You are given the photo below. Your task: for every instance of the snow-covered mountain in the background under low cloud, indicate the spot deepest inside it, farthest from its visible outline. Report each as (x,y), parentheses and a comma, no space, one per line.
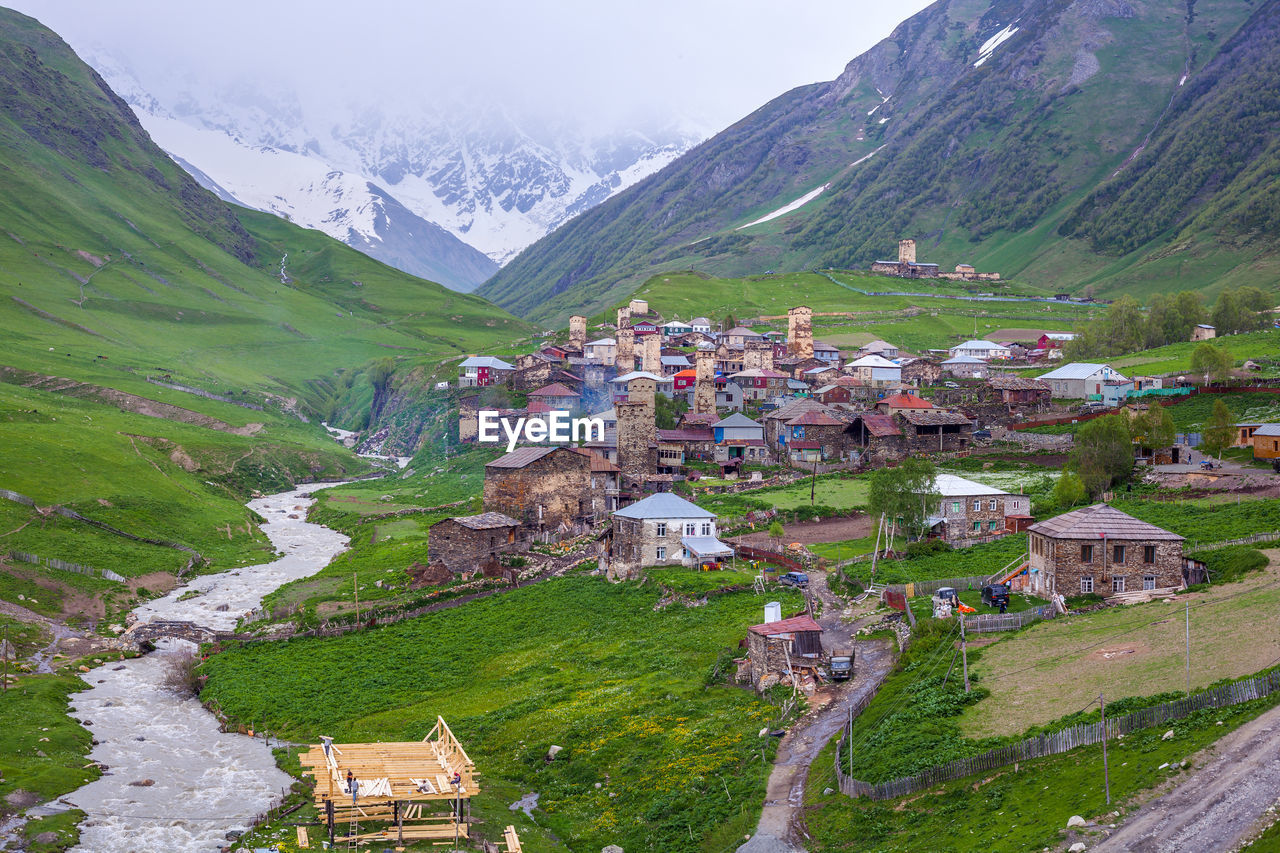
(436,195)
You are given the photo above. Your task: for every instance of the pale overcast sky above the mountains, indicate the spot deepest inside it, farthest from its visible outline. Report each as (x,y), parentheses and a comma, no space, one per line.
(708,61)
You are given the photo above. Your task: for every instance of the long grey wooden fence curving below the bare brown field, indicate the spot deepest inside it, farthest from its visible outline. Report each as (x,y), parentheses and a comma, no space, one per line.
(1055,742)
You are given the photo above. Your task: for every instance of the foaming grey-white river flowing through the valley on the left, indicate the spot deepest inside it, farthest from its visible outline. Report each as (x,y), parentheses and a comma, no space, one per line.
(204,783)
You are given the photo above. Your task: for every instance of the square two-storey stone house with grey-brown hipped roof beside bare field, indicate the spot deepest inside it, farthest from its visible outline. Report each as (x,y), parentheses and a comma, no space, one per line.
(1100,550)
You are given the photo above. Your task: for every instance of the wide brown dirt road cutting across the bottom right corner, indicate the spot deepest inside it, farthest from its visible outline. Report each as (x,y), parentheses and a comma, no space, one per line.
(1219,805)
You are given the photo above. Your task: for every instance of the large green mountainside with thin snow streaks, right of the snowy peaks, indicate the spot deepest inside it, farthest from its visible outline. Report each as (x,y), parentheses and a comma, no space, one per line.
(982,163)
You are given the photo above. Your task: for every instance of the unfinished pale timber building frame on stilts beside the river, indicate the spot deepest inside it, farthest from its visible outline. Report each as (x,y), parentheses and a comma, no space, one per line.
(401,786)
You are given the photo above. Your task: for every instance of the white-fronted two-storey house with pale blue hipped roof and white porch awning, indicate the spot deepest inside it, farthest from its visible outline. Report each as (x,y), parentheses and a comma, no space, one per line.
(664,530)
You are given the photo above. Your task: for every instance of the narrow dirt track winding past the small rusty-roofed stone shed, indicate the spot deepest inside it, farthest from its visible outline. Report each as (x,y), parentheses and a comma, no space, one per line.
(784,802)
